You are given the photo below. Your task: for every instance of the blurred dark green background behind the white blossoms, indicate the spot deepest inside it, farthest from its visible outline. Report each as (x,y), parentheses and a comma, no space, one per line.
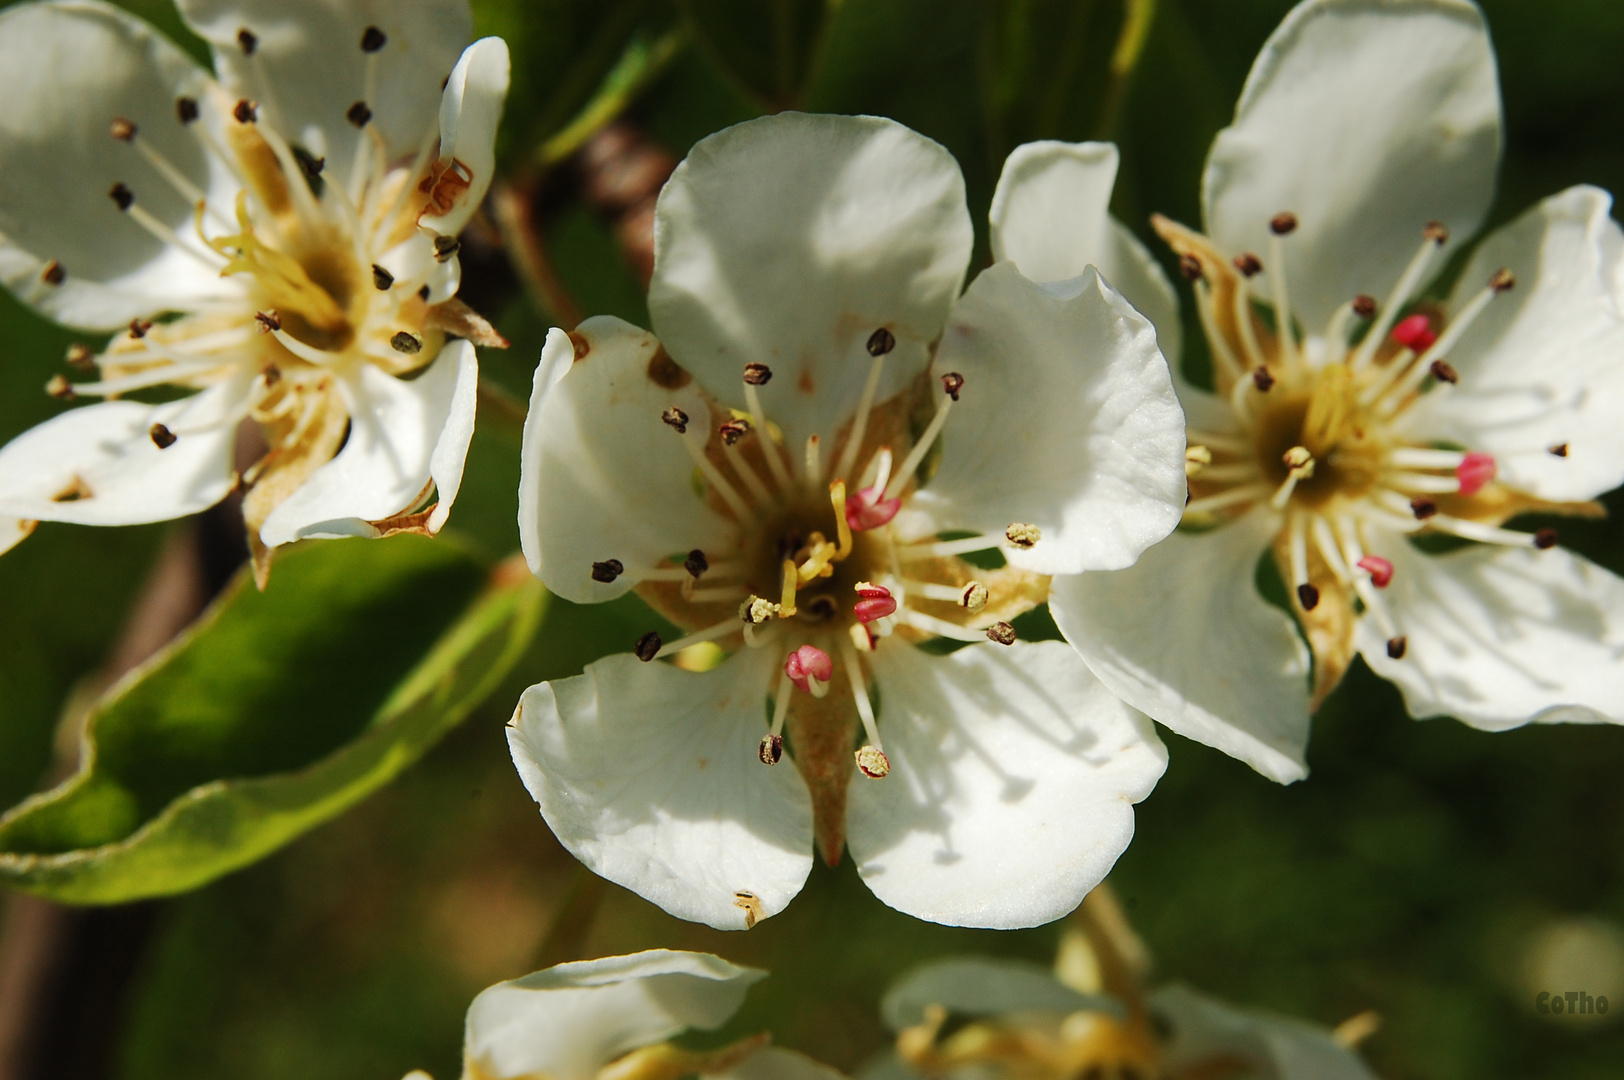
(1419,873)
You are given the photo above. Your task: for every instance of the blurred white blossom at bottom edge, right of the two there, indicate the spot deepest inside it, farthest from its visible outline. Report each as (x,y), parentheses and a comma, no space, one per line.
(1095,1016)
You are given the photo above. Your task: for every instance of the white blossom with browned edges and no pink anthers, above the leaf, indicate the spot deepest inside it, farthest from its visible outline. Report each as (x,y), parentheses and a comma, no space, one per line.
(277,238)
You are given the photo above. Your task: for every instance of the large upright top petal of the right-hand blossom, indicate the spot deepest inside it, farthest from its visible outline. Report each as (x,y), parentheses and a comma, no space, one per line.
(1367,119)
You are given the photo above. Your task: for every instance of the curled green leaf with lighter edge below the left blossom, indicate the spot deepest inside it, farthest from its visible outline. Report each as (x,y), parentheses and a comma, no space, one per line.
(274,714)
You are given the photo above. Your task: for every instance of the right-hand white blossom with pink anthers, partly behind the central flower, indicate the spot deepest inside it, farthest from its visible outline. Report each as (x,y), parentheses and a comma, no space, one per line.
(1386,417)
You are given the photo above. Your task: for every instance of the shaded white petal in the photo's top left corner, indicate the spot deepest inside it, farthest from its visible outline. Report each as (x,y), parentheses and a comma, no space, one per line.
(66,74)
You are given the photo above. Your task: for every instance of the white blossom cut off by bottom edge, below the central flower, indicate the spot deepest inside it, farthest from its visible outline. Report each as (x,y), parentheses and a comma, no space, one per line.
(613,1021)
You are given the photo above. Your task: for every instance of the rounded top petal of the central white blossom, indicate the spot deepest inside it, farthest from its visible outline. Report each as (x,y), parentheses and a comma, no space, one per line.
(788,241)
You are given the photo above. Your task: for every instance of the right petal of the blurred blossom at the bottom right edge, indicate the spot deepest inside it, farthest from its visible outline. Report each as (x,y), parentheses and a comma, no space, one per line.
(1206,1029)
